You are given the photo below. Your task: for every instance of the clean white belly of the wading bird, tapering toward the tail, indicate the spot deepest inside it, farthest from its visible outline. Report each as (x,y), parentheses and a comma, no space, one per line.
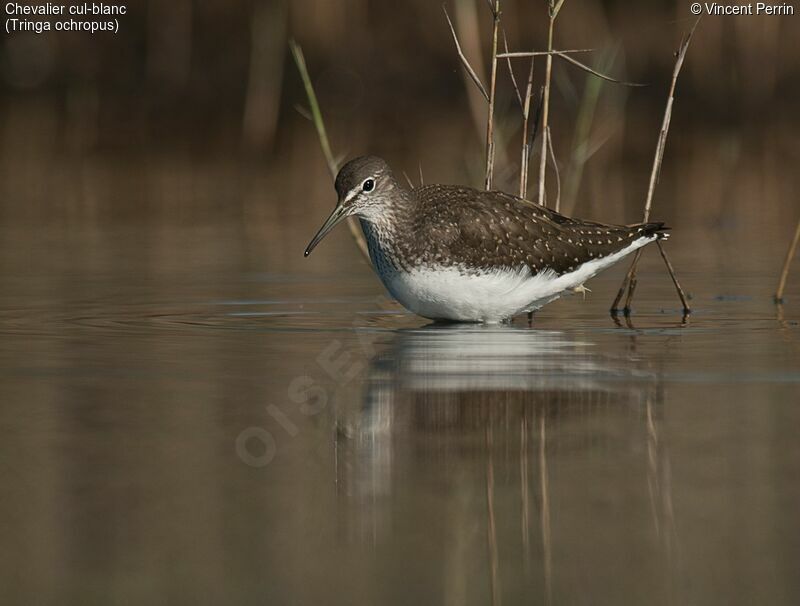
(450,293)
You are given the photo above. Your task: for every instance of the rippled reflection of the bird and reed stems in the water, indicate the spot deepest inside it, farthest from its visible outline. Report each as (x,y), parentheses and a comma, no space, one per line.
(485,412)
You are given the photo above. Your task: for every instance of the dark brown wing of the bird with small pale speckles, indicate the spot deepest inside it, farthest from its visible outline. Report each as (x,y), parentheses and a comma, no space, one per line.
(494,229)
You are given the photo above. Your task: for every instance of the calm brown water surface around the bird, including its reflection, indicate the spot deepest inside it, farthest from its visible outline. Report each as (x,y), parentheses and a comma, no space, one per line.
(204,433)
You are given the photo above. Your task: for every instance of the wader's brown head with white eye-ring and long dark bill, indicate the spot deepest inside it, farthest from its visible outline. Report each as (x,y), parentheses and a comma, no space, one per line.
(364,186)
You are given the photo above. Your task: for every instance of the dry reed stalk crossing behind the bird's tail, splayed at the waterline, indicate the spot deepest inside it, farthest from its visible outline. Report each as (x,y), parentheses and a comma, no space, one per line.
(630,280)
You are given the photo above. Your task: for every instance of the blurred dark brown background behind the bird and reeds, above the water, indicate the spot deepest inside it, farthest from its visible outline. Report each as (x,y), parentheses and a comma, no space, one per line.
(187,117)
